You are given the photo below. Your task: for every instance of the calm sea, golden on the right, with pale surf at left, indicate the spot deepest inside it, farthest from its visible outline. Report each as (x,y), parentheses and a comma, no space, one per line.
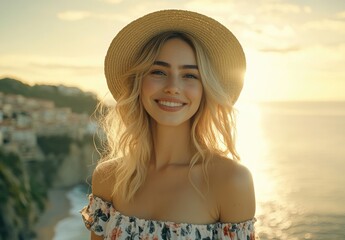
(296,153)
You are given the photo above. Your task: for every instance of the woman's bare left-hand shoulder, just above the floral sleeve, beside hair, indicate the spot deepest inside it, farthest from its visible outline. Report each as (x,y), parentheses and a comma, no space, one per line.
(103,180)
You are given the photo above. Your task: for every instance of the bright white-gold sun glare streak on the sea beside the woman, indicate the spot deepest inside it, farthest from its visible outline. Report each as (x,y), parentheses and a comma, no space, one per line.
(253,150)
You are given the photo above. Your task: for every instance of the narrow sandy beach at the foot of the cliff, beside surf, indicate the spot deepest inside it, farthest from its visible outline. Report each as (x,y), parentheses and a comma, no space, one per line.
(57,208)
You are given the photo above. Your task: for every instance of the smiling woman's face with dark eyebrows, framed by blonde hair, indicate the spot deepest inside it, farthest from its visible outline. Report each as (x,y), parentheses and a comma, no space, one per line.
(172,90)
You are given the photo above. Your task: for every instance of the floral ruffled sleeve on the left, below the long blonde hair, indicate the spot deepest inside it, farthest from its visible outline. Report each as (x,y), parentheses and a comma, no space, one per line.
(96,215)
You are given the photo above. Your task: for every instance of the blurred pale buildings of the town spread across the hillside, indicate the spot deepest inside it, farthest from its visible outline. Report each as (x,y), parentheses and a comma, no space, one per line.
(23,119)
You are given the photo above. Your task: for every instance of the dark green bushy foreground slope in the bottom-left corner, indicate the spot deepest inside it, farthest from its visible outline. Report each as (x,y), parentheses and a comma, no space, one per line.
(18,199)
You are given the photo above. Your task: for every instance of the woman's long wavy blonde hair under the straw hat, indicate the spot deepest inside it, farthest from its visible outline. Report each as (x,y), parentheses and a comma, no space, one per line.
(212,131)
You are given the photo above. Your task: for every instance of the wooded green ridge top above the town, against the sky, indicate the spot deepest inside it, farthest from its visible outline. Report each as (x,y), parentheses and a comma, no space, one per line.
(79,102)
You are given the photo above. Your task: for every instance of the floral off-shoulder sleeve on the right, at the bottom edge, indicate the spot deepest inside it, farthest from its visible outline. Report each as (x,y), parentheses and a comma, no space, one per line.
(238,231)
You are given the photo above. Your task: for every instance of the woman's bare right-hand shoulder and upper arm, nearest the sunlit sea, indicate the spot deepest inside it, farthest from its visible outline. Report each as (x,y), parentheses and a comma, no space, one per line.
(234,190)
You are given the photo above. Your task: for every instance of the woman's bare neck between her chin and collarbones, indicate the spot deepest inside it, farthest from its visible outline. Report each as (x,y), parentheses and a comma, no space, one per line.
(172,145)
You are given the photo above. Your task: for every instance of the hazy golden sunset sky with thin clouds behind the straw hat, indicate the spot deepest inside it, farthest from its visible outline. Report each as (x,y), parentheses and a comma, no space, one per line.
(295,49)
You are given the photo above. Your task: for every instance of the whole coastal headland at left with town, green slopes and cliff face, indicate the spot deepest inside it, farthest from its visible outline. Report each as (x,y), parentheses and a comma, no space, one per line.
(46,141)
